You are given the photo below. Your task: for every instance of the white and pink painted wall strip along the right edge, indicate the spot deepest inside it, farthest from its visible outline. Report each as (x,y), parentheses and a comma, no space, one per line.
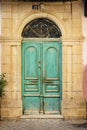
(84,29)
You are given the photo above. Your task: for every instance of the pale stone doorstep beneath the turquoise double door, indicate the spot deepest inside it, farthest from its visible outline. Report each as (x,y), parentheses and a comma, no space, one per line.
(60,117)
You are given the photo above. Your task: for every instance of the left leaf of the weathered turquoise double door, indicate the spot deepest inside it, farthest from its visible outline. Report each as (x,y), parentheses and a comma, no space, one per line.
(31,76)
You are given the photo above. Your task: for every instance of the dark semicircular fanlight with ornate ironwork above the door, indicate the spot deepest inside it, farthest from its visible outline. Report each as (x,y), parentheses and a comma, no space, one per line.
(41,28)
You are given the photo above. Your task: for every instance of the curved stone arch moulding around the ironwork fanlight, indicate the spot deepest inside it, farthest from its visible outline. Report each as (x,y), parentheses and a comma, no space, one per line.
(28,18)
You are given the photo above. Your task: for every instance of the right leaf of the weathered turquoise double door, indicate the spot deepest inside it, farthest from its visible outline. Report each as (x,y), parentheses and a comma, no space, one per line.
(51,75)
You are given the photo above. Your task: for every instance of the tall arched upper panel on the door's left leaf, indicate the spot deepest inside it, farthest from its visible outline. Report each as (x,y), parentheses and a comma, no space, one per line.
(31,62)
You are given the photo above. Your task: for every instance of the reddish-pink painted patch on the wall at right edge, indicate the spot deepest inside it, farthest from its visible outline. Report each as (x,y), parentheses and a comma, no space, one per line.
(85,82)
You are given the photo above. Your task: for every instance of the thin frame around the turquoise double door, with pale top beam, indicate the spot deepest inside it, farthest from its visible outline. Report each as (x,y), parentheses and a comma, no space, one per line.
(42,40)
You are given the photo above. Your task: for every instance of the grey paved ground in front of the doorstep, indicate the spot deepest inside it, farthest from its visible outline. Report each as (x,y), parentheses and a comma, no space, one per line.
(43,124)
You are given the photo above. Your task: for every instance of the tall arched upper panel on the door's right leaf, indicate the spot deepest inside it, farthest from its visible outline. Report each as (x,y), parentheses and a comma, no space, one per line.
(51,62)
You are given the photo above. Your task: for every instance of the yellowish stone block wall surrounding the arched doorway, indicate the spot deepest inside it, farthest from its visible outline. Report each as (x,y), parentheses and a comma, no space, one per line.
(15,15)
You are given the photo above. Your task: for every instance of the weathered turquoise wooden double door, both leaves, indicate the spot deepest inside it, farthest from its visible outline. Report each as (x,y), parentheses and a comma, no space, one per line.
(41,77)
